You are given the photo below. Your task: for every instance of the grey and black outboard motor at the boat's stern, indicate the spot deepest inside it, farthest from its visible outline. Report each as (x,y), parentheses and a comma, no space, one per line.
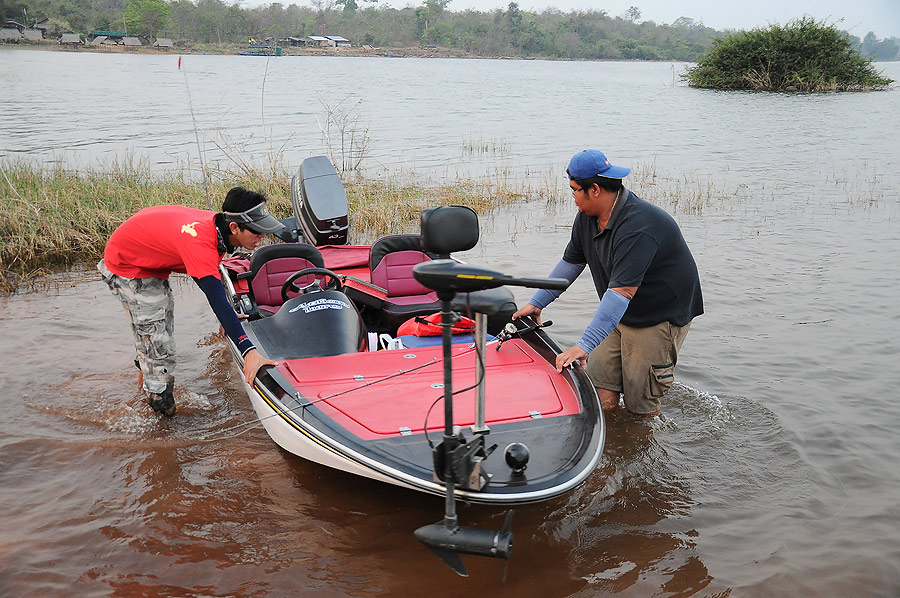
(320,203)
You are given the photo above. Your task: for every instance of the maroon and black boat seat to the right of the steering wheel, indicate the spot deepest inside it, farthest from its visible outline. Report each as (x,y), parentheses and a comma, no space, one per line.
(391,260)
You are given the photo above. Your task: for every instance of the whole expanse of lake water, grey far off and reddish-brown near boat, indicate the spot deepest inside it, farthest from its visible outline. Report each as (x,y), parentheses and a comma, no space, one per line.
(773,470)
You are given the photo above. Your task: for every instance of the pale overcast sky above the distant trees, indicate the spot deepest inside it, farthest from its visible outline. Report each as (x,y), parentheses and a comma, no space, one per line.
(859,16)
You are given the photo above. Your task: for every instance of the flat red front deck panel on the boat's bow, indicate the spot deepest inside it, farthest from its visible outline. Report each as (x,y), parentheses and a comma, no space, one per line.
(375,395)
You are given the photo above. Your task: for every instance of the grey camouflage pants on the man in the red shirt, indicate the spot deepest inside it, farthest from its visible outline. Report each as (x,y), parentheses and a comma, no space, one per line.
(149,304)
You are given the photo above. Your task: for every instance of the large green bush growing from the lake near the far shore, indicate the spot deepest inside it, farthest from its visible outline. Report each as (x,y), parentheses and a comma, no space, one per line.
(804,55)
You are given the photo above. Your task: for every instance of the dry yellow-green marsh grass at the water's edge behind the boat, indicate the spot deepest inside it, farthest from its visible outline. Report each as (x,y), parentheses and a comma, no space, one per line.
(52,218)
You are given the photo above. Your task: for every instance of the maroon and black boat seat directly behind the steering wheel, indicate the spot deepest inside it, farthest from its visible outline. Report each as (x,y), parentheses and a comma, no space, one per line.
(270,266)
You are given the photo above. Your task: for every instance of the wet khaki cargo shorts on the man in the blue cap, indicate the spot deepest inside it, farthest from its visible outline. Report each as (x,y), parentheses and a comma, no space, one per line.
(638,362)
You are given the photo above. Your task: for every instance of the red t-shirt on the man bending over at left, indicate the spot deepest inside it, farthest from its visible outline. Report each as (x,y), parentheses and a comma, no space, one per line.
(164,239)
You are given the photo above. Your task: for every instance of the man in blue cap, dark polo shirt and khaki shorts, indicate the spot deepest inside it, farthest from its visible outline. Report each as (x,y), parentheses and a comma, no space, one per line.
(645,276)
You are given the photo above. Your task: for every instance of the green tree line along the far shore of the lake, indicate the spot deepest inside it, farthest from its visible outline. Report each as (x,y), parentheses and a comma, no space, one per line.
(551,33)
